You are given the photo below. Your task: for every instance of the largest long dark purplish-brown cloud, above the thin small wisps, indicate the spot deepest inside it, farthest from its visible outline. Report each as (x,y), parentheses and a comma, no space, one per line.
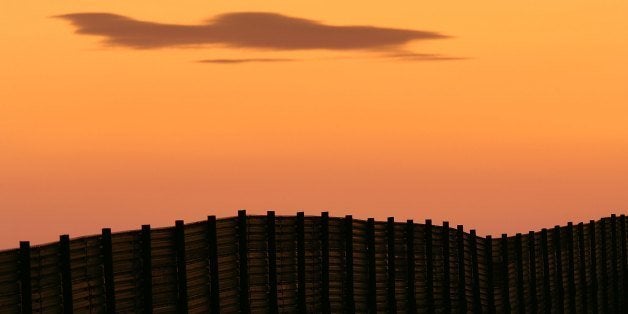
(244,30)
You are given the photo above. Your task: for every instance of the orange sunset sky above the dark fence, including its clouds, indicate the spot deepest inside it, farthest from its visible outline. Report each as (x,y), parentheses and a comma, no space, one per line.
(500,116)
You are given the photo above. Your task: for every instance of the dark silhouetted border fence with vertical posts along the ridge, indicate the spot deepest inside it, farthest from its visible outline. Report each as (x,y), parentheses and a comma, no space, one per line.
(321,264)
